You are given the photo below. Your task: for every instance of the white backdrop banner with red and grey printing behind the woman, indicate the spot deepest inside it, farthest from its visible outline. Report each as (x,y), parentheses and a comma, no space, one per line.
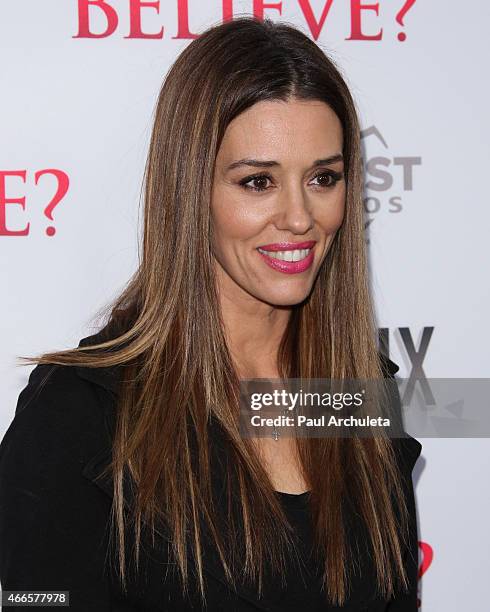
(79,81)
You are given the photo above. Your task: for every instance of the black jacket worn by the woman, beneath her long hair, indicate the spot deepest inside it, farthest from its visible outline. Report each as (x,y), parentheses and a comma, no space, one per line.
(54,513)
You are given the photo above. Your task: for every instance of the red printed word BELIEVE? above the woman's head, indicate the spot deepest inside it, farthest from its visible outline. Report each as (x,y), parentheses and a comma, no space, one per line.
(146,19)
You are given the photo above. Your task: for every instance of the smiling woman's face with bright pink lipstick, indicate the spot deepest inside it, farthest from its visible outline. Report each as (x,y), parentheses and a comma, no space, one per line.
(278,199)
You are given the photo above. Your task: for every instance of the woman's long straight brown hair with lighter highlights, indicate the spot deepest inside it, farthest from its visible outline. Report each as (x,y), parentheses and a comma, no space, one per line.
(166,330)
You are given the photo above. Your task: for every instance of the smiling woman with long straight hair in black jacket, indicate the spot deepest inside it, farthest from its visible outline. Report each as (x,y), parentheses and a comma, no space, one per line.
(123,477)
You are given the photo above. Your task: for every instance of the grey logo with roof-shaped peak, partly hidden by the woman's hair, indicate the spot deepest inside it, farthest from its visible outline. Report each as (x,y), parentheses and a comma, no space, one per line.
(389,176)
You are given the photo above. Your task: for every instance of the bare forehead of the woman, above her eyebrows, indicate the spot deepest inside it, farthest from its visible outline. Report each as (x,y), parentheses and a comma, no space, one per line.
(273,129)
